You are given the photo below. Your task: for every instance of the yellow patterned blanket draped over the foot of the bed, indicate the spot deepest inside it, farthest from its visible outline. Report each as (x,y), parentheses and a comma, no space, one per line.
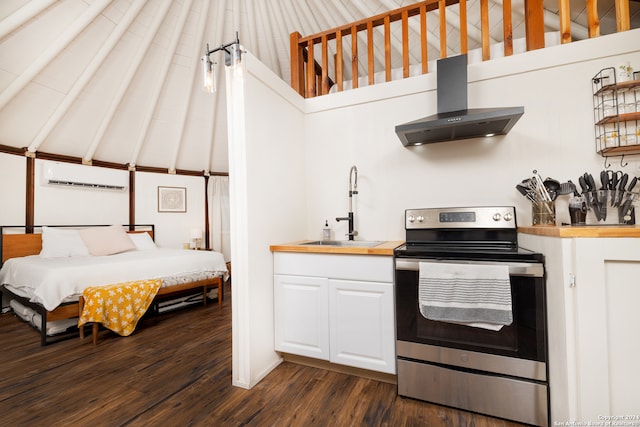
(119,306)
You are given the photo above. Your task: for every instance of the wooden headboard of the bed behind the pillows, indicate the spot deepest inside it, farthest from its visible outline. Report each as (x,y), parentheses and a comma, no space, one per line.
(16,242)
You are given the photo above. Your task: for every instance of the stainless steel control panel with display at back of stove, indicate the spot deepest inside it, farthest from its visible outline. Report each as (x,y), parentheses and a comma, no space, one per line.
(469,217)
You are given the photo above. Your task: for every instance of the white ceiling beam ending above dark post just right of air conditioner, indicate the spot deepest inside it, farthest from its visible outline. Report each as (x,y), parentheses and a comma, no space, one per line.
(160,80)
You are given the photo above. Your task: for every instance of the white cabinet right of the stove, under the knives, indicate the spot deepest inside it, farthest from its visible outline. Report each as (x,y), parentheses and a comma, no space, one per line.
(593,293)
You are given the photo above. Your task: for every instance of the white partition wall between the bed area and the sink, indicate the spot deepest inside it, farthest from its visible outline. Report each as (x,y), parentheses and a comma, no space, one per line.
(267,198)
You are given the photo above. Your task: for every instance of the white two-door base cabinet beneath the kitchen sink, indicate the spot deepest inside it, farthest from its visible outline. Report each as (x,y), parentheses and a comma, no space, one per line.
(336,307)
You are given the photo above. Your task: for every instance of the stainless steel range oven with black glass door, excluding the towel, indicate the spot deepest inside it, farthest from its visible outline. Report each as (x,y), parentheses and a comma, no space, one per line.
(502,373)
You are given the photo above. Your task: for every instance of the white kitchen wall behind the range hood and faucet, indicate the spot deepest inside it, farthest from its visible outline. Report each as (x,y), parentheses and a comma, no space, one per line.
(554,136)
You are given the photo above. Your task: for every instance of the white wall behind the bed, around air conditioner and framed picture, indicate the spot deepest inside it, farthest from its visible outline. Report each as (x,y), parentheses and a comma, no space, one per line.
(78,206)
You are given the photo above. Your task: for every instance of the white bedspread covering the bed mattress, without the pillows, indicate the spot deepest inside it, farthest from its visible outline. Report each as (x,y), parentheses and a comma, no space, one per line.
(51,281)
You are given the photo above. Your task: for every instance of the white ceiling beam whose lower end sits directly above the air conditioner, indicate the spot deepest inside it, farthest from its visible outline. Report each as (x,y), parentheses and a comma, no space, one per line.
(126,80)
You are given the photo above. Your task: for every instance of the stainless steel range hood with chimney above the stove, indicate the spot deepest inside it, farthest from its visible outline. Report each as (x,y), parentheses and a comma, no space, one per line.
(454,120)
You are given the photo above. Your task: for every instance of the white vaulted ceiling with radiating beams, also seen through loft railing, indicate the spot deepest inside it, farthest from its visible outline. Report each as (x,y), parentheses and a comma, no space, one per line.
(120,80)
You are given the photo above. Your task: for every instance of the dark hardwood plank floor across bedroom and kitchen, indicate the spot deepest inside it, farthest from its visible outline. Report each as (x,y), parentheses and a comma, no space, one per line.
(175,370)
